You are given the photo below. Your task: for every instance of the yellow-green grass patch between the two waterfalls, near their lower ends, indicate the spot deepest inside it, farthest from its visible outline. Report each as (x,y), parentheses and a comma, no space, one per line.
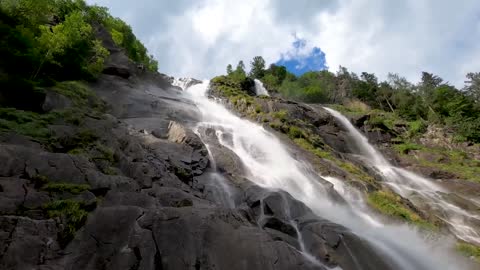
(391,205)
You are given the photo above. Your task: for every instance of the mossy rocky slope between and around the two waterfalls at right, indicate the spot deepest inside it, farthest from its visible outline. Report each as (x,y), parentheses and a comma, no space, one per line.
(319,138)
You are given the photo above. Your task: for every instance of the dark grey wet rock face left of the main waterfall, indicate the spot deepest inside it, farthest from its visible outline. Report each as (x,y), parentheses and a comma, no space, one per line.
(150,206)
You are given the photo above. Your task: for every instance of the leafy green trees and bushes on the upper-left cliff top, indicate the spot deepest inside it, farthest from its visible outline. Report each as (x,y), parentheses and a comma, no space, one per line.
(47,41)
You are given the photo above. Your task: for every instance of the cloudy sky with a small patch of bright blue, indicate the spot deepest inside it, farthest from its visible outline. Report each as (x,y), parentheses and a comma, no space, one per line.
(199,38)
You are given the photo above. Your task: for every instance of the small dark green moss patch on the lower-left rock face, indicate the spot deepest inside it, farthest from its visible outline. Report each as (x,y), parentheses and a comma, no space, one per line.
(73,215)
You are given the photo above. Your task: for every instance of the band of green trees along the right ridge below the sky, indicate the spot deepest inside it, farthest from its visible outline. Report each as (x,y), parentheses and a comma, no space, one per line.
(393,104)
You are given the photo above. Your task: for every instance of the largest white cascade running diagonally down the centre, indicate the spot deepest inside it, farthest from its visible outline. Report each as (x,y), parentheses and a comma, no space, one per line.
(270,165)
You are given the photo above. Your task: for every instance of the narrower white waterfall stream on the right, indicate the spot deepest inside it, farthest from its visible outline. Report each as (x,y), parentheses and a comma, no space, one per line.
(412,186)
